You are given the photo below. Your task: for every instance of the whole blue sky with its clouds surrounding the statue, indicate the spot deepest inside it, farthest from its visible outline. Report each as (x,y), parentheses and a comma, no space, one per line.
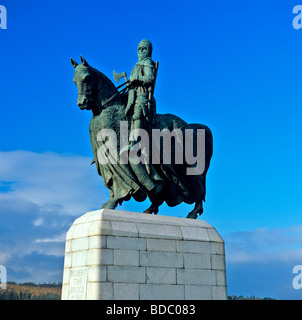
(232,65)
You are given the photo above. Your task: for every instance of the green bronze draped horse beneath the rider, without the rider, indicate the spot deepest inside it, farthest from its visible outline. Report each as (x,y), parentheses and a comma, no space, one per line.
(126,180)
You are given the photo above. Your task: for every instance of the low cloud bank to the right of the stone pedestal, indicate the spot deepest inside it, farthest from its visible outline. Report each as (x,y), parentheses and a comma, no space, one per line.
(260,262)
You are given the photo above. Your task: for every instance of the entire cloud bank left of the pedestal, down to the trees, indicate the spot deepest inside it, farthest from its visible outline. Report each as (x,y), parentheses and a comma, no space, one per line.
(40,197)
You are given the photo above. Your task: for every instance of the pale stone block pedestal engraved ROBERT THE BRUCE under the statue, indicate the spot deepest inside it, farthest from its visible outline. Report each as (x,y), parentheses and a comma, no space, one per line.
(120,255)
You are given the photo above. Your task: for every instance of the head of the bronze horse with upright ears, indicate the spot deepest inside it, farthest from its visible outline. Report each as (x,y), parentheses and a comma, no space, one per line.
(93,86)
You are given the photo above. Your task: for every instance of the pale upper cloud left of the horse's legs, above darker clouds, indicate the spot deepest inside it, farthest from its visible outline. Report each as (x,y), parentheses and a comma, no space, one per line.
(50,178)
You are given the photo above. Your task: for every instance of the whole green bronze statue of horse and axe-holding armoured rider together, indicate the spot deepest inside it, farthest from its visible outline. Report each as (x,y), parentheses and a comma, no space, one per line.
(135,105)
